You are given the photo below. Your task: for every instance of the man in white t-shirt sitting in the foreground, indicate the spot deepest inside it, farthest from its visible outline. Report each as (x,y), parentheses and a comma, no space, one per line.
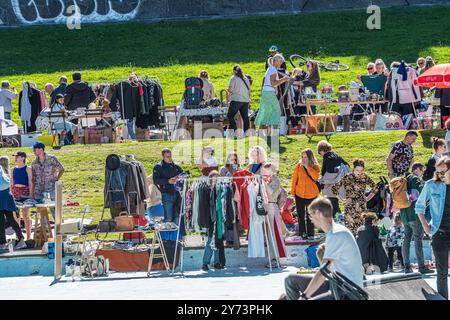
(341,251)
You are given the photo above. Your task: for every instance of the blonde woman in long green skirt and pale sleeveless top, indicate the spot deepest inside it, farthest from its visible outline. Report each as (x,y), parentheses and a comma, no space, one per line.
(269,108)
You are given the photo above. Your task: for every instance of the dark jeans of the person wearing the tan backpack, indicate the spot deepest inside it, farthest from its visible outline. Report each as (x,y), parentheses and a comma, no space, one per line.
(413,228)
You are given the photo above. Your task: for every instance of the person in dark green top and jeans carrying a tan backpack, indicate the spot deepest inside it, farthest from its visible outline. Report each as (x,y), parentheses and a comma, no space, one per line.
(411,223)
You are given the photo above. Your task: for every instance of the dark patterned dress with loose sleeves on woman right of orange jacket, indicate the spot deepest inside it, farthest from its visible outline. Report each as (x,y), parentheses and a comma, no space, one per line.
(355,202)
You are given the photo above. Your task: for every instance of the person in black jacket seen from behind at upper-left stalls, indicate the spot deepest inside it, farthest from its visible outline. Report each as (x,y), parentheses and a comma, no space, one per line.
(78,94)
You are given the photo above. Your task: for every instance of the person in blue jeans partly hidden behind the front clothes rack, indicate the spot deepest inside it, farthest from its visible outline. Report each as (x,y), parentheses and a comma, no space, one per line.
(214,245)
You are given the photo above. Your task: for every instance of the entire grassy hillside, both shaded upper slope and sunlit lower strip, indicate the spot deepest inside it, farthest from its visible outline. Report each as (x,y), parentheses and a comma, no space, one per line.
(173,51)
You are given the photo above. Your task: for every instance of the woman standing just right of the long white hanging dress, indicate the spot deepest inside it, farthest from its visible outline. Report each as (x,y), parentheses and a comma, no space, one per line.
(272,187)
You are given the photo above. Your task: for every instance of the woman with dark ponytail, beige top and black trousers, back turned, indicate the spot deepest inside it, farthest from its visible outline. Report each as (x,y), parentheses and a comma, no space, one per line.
(238,96)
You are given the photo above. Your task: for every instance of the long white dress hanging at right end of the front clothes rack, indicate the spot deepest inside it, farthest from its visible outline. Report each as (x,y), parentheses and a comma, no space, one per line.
(256,232)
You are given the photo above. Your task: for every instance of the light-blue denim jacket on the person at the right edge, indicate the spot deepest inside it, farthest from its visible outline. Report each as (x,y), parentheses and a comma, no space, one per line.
(434,193)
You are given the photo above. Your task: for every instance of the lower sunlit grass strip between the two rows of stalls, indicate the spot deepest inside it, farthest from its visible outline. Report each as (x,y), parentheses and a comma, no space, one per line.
(84,176)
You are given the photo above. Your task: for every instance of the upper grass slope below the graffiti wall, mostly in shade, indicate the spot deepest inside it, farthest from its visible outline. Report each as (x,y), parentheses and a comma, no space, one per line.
(173,51)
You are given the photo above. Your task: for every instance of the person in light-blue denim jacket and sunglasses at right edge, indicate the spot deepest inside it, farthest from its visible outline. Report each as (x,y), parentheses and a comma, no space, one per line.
(436,195)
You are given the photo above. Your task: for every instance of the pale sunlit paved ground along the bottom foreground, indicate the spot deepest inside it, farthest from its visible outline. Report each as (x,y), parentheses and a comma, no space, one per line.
(258,284)
